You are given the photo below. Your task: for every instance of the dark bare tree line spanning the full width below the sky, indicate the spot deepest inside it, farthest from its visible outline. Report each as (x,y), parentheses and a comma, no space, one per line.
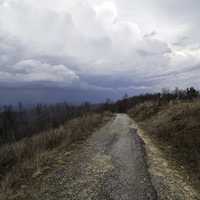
(19,122)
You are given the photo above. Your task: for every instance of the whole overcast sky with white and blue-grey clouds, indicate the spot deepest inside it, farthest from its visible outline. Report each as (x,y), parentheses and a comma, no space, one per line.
(98,47)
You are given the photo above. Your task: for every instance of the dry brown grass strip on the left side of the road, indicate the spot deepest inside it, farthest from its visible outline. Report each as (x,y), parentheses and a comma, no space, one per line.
(22,161)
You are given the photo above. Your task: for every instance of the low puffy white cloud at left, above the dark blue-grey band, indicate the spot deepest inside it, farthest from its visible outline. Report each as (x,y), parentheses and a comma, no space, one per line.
(33,70)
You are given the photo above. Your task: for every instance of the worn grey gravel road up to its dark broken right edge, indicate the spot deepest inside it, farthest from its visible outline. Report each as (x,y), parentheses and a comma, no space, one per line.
(109,165)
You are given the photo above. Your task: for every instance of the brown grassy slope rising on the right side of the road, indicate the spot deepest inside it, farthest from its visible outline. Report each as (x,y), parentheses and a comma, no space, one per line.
(175,125)
